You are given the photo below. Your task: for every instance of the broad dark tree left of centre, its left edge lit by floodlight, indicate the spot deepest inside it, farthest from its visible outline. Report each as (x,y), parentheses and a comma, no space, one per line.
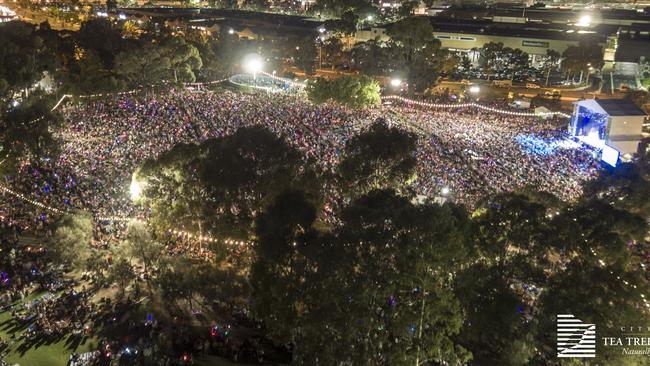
(221,185)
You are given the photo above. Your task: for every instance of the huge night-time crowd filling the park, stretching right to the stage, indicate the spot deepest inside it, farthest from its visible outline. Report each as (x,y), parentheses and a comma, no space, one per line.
(470,153)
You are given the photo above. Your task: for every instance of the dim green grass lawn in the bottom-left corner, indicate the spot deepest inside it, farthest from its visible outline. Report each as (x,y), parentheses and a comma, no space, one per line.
(53,354)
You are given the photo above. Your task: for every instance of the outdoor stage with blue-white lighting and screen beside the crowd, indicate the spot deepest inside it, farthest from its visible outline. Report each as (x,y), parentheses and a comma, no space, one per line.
(611,126)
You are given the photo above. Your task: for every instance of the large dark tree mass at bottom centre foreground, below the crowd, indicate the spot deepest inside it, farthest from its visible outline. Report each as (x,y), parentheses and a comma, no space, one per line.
(384,272)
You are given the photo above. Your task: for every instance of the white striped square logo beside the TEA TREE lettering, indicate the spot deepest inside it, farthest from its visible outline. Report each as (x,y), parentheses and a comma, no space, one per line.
(574,337)
